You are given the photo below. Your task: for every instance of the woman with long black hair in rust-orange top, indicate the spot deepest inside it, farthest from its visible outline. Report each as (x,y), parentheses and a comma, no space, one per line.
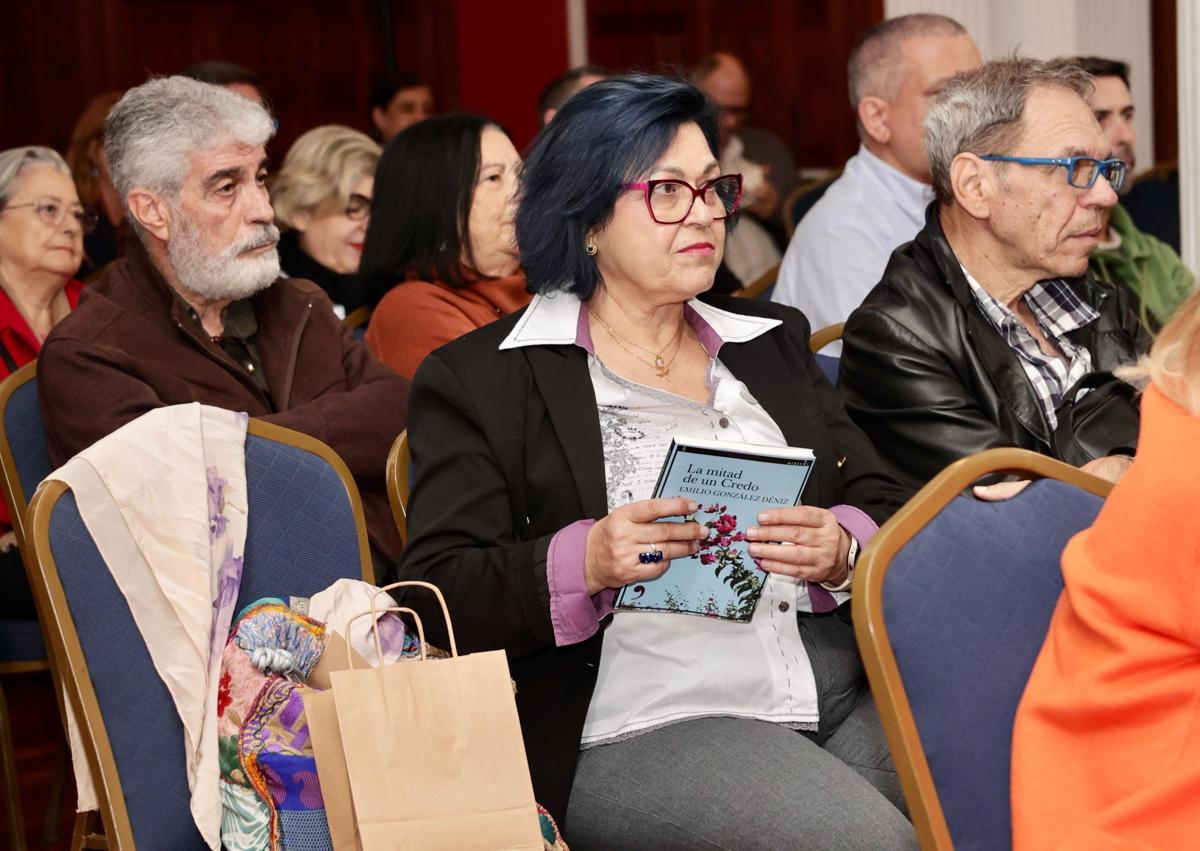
(441,257)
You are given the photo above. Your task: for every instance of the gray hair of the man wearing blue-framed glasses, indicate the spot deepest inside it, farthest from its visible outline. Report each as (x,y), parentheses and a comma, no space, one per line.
(981,112)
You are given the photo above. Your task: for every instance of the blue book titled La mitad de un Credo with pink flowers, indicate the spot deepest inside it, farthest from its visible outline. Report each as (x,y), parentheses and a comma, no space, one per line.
(733,483)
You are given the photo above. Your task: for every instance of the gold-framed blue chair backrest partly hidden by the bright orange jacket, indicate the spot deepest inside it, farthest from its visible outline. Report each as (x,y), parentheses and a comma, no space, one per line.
(952,601)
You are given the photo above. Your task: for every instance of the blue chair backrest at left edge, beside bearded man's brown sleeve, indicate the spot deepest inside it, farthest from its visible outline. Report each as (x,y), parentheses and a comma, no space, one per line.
(25,458)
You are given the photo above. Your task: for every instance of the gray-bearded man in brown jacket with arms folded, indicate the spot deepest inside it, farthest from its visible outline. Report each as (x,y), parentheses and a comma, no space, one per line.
(197,310)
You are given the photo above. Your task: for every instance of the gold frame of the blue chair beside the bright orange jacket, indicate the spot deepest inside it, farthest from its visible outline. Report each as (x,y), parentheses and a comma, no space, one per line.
(883,673)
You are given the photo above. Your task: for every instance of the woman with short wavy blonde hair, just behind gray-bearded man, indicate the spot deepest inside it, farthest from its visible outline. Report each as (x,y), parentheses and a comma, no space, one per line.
(322,200)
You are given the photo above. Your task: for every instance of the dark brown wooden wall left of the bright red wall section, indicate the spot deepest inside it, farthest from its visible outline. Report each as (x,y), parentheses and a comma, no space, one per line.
(316,57)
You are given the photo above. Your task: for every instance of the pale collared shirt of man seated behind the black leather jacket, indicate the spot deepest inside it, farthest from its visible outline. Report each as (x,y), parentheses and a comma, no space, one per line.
(842,248)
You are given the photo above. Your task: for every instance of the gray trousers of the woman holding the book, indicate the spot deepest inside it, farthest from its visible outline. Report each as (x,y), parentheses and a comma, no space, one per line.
(736,784)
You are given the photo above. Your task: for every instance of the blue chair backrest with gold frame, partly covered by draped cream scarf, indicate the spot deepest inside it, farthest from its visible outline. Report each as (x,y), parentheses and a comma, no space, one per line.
(305,531)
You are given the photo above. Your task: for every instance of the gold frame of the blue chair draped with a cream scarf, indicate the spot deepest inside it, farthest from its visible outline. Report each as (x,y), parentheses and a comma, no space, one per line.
(56,615)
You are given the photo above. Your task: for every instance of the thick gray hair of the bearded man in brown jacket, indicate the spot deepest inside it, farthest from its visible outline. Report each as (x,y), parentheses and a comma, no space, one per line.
(155,127)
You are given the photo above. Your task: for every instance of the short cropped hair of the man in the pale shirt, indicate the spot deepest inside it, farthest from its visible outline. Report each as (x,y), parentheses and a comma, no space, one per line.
(877,62)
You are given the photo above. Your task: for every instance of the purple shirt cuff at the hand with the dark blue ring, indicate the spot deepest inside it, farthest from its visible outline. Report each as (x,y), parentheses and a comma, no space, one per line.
(574,614)
